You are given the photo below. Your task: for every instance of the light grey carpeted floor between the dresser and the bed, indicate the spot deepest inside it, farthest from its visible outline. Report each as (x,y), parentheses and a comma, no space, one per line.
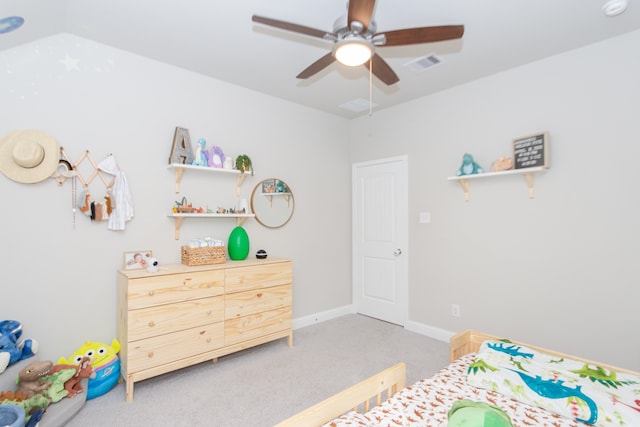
(266,384)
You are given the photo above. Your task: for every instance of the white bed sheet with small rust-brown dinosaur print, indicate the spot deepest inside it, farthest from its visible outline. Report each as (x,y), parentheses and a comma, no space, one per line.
(427,402)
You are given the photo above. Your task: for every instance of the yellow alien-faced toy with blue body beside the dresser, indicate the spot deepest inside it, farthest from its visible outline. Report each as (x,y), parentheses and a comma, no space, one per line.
(105,363)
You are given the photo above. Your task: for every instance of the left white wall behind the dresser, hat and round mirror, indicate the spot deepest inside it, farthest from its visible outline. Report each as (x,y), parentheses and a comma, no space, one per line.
(60,281)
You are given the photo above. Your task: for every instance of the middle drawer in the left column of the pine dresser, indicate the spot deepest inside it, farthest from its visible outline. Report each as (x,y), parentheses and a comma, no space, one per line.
(163,319)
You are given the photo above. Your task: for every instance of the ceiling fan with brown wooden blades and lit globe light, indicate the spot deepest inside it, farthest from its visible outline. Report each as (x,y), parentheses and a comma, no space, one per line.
(355,39)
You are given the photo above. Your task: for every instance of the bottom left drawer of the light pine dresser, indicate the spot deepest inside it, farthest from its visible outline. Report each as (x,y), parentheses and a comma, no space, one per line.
(152,352)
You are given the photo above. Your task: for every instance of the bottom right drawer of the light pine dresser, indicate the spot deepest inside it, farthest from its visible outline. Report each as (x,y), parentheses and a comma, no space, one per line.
(256,325)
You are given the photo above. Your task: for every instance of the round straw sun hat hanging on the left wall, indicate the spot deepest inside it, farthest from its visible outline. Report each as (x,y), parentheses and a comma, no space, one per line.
(29,156)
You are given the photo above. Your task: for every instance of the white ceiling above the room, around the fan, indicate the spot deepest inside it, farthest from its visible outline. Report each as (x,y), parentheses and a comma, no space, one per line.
(219,39)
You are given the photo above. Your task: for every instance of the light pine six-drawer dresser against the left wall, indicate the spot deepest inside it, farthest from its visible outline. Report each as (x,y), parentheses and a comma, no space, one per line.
(184,315)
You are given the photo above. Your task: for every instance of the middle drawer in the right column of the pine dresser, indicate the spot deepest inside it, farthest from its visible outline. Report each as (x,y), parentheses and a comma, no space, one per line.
(251,302)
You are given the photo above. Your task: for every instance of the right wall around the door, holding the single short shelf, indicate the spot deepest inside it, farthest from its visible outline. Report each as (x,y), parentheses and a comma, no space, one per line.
(559,270)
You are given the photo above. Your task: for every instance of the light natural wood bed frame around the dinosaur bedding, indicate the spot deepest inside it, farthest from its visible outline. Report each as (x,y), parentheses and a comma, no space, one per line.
(385,384)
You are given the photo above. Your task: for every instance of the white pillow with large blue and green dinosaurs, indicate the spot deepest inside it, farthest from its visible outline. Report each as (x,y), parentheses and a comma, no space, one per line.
(570,388)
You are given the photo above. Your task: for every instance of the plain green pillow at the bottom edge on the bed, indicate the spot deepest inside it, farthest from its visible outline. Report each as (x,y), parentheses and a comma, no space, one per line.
(467,413)
